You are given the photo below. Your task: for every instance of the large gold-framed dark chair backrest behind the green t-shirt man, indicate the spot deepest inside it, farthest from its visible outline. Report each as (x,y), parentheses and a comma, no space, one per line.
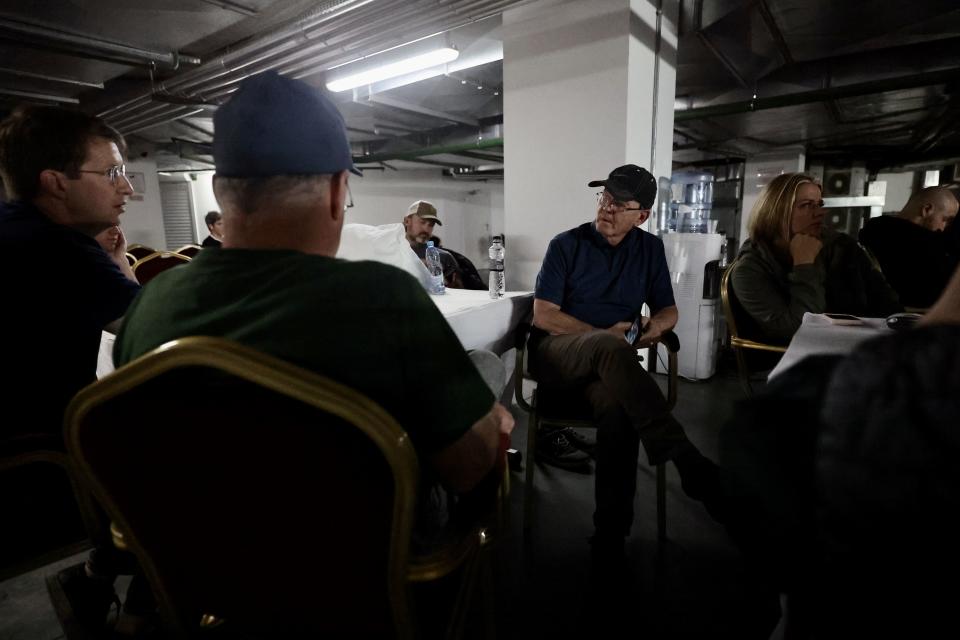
(255,495)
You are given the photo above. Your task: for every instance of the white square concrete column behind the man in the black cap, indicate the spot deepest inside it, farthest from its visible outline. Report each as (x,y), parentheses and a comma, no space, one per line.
(588,86)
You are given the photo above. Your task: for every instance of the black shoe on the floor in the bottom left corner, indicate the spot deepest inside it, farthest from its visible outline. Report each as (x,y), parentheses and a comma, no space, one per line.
(83,604)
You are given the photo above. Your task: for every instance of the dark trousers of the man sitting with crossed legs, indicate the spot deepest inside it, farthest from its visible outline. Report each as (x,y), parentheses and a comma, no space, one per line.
(628,409)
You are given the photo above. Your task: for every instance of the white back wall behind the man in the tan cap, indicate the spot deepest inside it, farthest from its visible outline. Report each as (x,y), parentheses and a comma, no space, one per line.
(471,211)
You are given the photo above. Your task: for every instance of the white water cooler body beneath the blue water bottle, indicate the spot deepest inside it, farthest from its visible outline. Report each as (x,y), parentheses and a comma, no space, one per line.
(692,261)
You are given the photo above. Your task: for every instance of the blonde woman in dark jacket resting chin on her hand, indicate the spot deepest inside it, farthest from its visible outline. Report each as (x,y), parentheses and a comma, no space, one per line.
(791,265)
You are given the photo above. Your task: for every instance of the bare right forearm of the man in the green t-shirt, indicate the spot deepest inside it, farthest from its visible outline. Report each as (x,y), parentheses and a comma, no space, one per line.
(463,464)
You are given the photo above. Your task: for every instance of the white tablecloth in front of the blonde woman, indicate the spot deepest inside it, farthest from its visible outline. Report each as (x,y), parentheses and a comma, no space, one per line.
(818,336)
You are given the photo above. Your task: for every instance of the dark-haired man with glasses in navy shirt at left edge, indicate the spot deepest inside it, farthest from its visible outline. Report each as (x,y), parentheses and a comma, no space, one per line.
(64,174)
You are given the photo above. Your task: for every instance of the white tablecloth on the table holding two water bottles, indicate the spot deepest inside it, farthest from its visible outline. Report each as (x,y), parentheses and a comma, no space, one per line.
(479,321)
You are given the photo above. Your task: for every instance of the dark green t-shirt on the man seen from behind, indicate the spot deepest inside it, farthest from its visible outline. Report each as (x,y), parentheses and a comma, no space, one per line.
(367,325)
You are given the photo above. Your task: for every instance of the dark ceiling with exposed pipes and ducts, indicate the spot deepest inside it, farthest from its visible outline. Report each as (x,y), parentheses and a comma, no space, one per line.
(869,80)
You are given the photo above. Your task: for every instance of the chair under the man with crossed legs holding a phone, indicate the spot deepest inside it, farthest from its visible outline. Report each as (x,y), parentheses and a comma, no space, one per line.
(550,408)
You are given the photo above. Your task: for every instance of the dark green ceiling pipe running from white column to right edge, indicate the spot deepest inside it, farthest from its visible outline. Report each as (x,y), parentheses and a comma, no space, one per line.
(819,95)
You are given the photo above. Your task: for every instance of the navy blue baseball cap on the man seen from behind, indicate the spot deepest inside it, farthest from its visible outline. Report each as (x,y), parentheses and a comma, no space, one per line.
(274,126)
